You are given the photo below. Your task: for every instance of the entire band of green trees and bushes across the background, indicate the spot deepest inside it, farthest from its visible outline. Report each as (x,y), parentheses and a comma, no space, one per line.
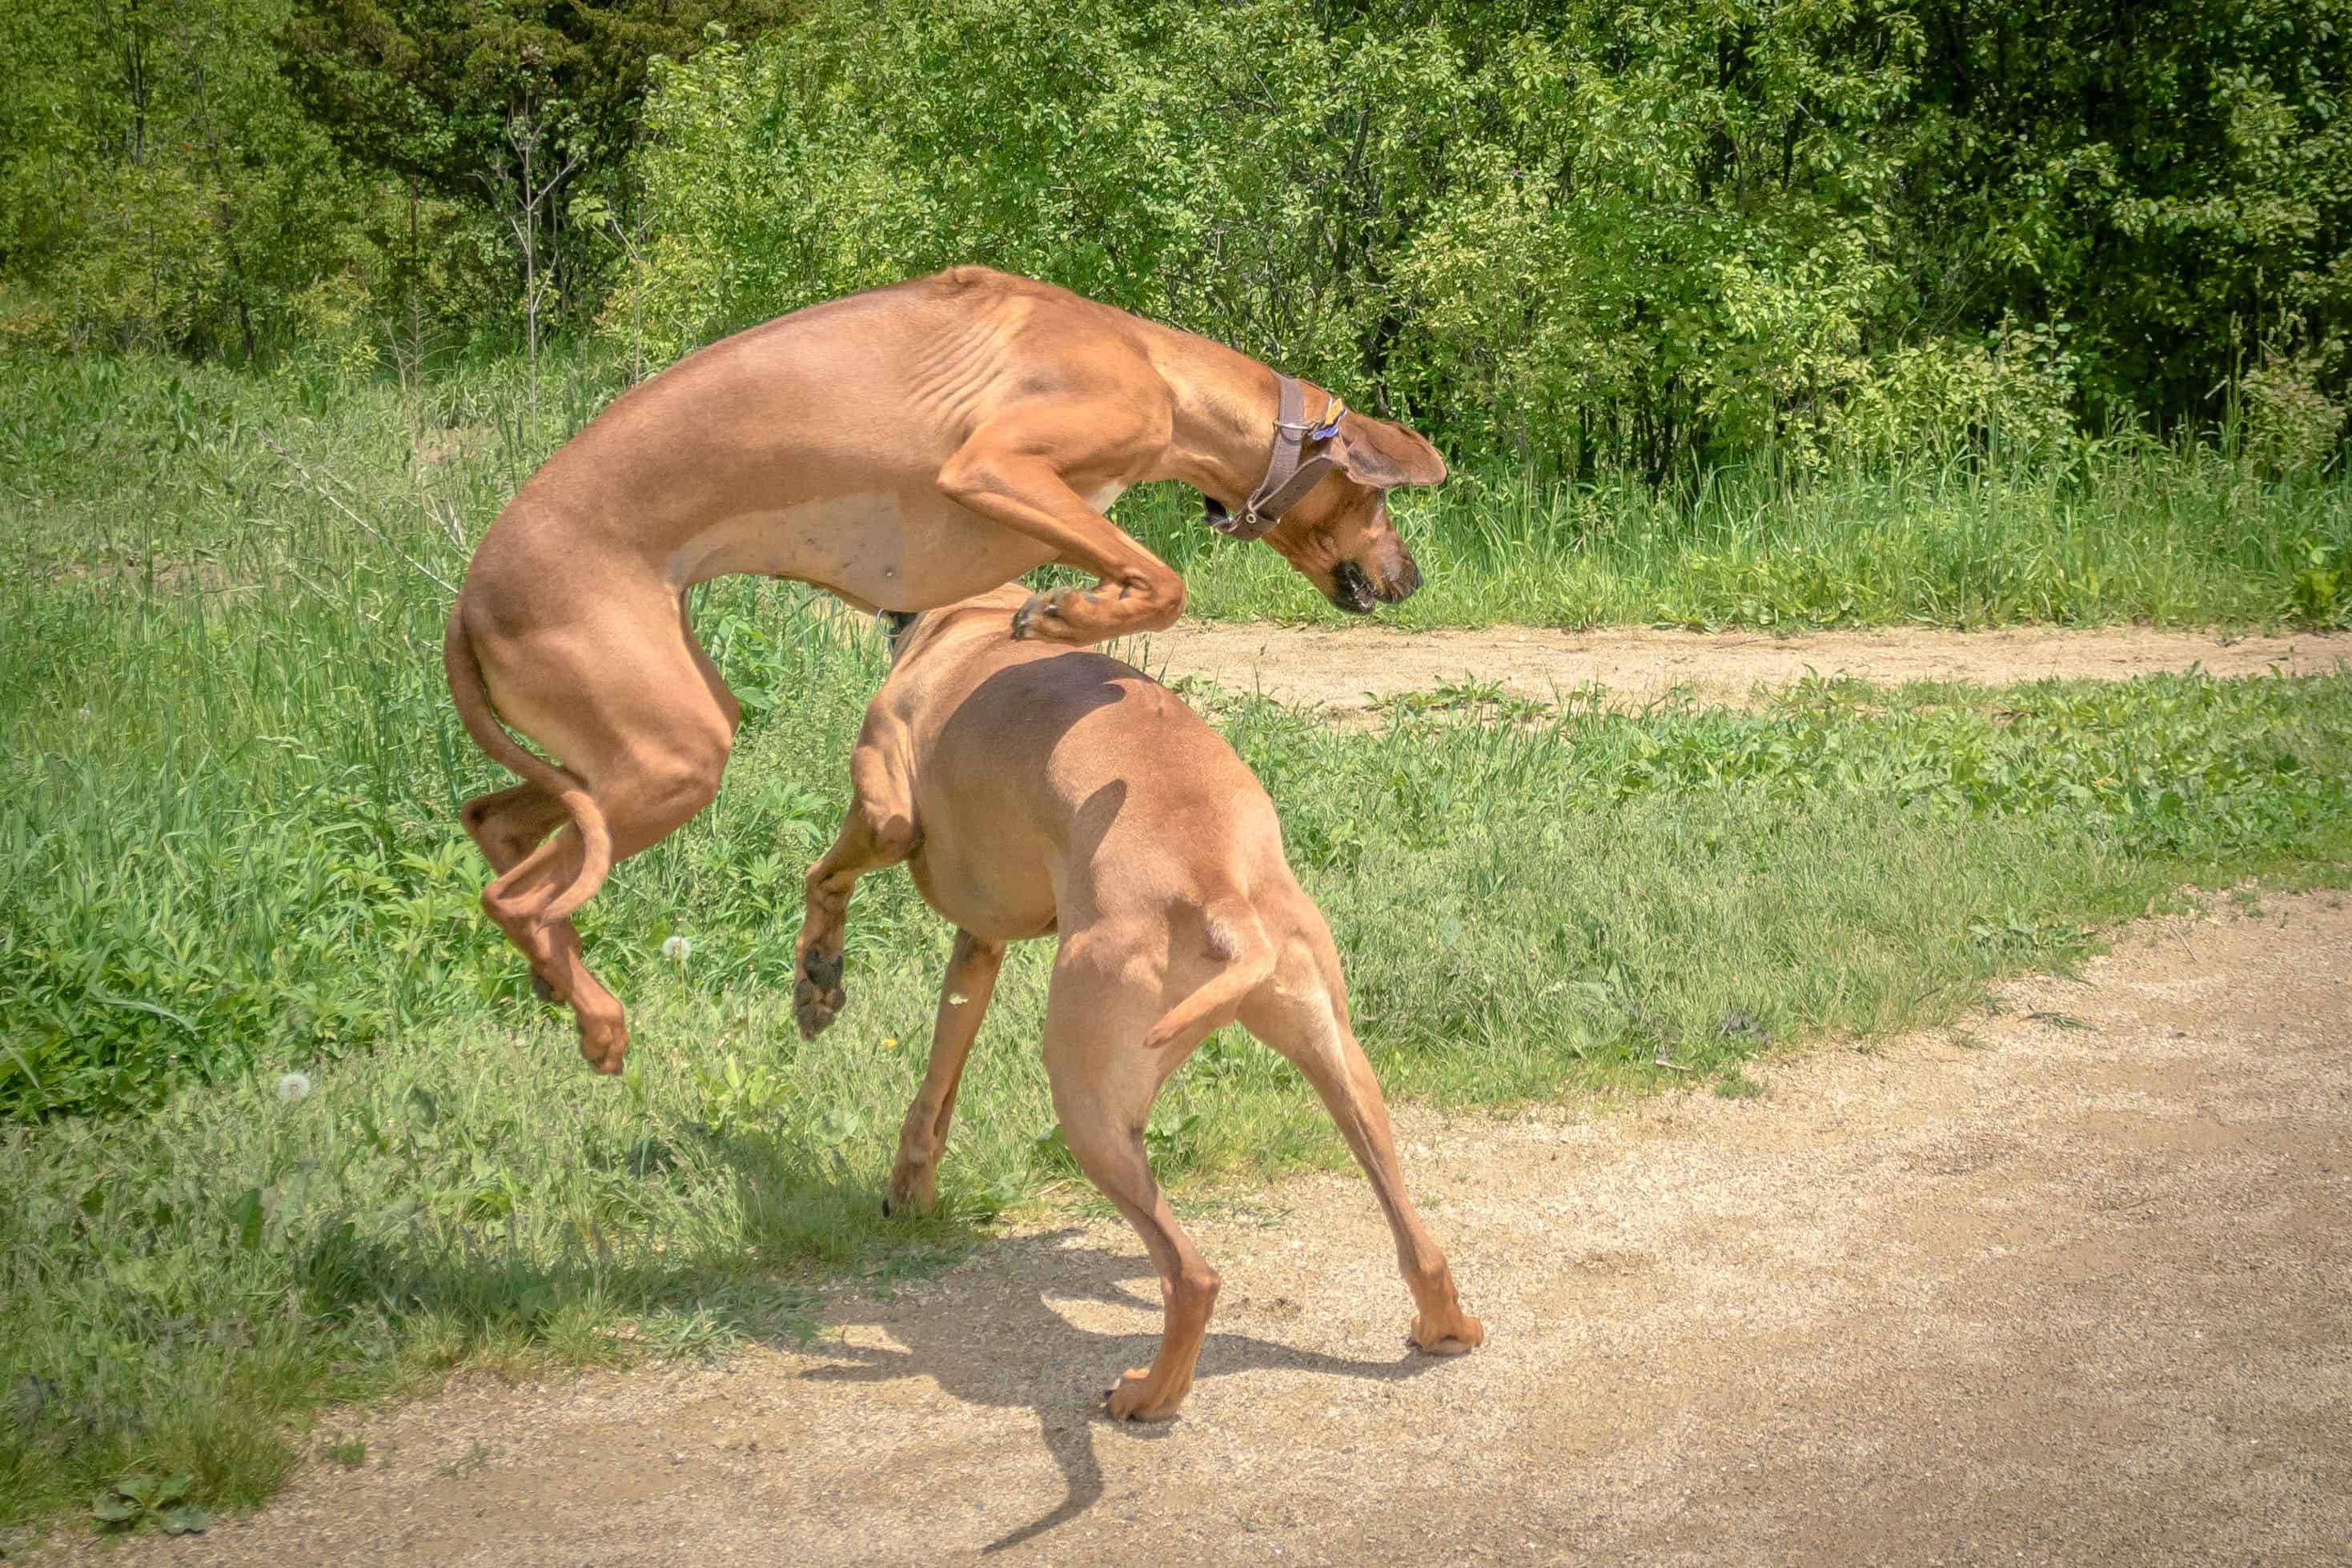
(1579,239)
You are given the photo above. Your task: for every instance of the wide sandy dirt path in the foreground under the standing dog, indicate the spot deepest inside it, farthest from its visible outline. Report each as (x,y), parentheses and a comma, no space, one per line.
(2076,1287)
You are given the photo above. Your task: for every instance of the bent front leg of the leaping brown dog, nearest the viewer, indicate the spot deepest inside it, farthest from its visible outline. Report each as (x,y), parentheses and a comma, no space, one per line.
(1003,478)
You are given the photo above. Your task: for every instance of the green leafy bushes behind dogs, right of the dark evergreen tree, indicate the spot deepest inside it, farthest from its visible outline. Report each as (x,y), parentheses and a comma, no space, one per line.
(1589,236)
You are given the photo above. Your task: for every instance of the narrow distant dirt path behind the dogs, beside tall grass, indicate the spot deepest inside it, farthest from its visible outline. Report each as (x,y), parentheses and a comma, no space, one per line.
(1337,669)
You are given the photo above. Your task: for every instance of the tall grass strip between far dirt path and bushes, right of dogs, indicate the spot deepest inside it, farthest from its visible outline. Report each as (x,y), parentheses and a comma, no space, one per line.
(2118,532)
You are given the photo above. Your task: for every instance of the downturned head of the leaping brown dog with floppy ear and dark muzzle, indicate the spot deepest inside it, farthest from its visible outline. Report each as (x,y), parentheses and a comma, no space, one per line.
(1339,535)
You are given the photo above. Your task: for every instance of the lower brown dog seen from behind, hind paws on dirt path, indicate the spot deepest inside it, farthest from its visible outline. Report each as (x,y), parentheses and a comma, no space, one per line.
(1043,791)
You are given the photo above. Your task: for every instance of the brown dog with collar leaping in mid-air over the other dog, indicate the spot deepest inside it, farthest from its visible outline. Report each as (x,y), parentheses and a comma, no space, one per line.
(902,450)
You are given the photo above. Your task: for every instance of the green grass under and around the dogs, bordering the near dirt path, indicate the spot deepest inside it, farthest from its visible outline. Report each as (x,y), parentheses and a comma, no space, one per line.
(227,789)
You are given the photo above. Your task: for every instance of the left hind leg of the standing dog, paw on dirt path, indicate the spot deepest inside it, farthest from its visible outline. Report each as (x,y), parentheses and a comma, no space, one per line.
(1104,1090)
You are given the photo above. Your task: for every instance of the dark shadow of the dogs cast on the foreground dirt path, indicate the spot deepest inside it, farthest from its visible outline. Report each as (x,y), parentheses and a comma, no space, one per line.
(1067,1367)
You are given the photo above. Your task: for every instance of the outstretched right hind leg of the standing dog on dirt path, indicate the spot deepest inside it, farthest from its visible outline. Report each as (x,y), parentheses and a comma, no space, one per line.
(1307,1021)
